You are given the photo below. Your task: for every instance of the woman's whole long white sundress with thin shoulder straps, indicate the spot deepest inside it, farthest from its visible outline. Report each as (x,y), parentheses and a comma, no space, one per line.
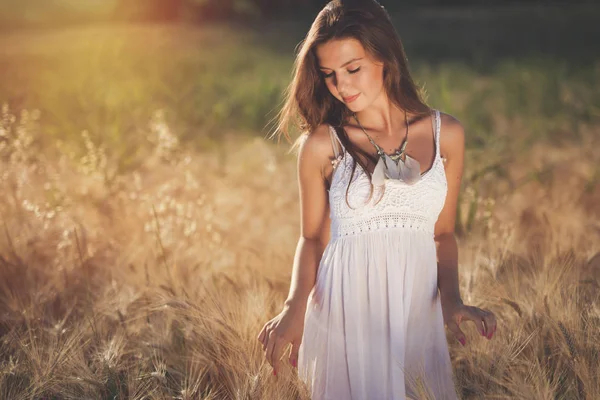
(373,326)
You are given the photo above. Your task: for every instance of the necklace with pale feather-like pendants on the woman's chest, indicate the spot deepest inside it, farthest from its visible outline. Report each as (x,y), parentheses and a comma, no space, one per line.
(393,166)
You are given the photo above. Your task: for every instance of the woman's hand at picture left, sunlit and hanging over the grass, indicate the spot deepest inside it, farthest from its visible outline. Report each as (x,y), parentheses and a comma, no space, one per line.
(285,328)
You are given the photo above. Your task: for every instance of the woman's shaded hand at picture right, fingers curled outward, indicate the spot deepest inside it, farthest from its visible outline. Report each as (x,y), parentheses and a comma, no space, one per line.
(456,312)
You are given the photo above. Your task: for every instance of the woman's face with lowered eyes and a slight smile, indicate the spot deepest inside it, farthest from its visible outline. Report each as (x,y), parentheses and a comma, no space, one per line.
(351,75)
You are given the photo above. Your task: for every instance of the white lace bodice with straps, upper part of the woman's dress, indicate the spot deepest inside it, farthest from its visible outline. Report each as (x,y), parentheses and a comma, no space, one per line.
(395,205)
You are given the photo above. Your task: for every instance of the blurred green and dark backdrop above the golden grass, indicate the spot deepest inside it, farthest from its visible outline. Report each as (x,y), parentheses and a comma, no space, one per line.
(216,66)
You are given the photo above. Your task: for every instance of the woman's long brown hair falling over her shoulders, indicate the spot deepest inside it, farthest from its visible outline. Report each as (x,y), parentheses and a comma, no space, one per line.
(308,103)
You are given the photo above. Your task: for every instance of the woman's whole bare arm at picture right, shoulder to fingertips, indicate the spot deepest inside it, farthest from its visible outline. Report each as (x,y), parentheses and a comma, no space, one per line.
(452,144)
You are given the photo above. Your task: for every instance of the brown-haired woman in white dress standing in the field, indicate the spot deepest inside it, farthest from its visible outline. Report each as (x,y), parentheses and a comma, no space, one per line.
(375,273)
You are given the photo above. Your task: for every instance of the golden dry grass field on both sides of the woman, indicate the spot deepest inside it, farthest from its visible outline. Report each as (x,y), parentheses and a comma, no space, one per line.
(154,283)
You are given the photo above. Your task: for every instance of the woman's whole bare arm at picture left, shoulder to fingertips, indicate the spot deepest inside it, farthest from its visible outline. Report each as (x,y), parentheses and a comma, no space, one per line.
(287,327)
